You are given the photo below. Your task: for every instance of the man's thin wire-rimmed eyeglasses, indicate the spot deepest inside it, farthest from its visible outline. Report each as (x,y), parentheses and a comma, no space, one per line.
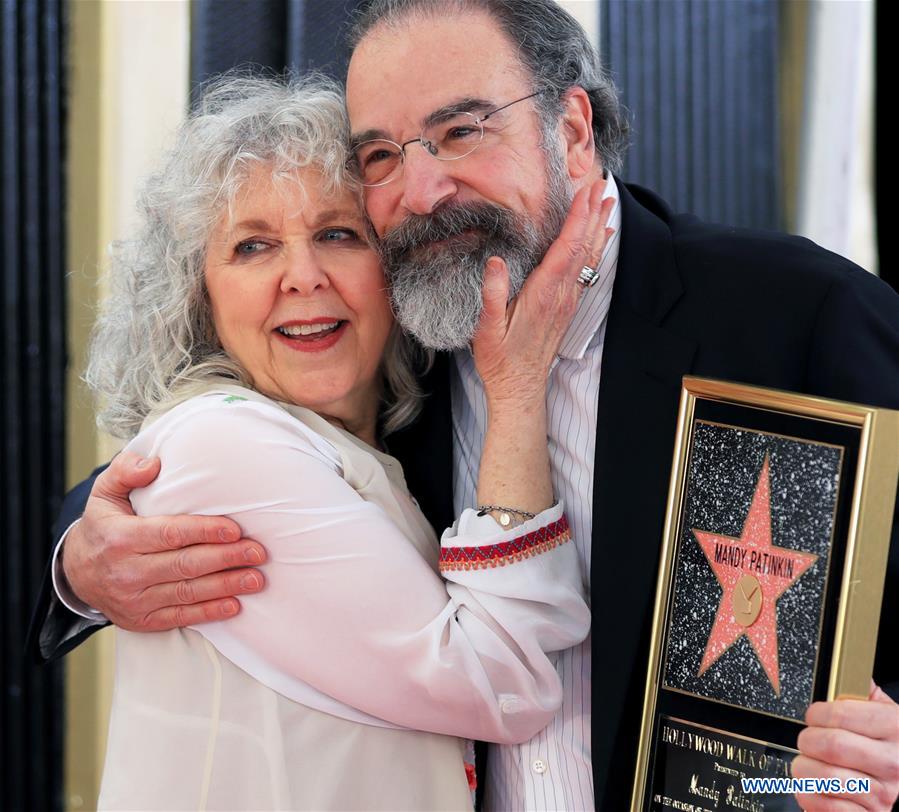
(453,136)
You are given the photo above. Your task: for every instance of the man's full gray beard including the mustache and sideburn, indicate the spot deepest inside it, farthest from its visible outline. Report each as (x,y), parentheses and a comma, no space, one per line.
(436,289)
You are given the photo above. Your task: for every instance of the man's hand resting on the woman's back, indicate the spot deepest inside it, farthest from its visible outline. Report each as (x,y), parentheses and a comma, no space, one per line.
(161,572)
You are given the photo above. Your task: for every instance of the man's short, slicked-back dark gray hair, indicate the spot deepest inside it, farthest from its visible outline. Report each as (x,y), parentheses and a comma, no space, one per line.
(553,48)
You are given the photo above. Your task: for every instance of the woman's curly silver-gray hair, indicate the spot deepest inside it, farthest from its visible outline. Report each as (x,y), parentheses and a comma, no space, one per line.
(156,333)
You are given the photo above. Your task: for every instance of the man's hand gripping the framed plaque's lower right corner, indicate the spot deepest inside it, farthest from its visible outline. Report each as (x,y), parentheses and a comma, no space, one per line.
(851,738)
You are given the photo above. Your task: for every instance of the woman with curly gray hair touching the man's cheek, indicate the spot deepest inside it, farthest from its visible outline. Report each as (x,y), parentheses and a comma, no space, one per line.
(249,343)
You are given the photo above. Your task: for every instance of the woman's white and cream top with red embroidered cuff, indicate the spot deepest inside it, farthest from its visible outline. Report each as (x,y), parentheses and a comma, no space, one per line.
(313,696)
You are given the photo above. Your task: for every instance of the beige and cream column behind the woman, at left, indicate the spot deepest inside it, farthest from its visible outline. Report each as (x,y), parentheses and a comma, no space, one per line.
(128,63)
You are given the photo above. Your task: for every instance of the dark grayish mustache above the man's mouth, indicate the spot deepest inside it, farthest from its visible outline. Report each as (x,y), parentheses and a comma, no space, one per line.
(450,220)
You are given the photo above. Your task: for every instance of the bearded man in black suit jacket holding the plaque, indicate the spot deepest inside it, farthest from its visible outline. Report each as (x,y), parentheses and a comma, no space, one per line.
(474,122)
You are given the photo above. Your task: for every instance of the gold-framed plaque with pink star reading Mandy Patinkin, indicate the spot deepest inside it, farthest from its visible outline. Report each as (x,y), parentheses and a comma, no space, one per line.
(776,541)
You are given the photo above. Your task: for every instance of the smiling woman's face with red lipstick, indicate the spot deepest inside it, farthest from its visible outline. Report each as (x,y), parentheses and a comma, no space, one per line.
(298,297)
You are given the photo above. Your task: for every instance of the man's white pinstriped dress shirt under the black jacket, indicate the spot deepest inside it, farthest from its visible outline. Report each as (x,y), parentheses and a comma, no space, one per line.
(552,771)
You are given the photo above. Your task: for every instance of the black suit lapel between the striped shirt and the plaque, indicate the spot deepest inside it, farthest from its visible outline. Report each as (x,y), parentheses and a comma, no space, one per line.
(639,392)
